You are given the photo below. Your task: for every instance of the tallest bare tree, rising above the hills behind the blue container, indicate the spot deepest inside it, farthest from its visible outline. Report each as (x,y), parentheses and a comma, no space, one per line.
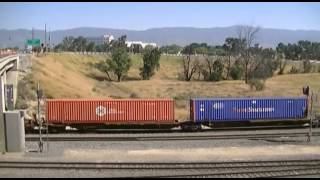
(247,35)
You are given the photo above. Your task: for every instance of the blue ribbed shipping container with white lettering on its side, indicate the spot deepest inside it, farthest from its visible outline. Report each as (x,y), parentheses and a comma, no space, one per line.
(246,109)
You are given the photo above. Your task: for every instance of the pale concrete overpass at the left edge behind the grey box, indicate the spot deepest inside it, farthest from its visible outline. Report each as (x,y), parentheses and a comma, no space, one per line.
(8,88)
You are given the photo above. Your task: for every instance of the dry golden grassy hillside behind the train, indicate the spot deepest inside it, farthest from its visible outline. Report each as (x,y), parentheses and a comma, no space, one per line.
(70,75)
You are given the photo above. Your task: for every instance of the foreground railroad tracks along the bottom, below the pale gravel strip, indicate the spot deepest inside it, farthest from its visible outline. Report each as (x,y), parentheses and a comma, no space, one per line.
(193,169)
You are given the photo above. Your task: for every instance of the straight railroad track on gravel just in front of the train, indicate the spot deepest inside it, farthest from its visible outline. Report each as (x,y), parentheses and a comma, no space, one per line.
(171,138)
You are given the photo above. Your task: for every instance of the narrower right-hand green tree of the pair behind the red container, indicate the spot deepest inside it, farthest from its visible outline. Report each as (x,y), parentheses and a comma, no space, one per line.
(151,57)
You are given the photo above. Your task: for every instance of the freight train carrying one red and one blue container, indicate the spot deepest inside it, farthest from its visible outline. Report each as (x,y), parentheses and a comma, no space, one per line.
(87,113)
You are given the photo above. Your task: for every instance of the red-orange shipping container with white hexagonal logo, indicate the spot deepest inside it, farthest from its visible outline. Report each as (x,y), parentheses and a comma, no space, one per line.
(120,111)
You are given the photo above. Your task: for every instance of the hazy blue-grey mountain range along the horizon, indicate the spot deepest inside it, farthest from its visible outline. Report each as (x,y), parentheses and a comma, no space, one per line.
(162,36)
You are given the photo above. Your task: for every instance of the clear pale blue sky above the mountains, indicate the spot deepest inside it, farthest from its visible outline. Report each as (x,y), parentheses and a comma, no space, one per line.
(144,15)
